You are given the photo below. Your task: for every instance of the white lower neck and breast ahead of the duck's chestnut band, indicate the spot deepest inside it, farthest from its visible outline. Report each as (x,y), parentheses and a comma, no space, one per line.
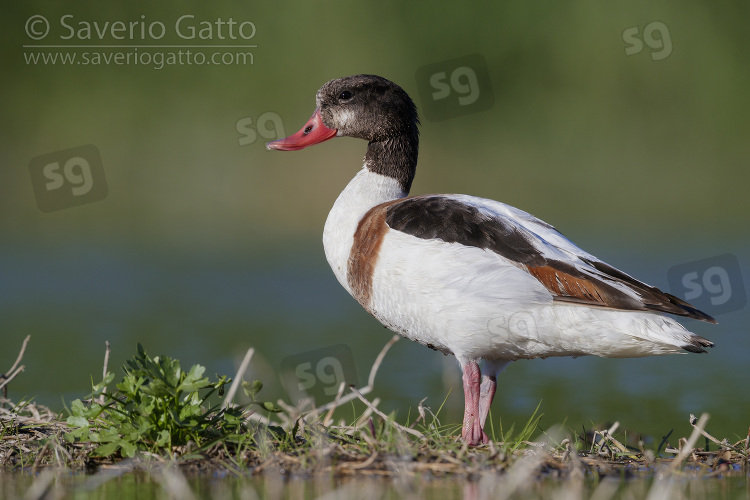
(364,191)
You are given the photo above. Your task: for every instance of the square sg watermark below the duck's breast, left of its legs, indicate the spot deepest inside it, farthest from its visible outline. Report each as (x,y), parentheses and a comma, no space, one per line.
(318,374)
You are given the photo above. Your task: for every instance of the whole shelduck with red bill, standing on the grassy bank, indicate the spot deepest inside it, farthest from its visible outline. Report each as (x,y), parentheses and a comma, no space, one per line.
(468,276)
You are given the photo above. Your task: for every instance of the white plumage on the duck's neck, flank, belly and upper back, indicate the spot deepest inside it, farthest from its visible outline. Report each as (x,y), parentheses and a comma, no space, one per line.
(477,304)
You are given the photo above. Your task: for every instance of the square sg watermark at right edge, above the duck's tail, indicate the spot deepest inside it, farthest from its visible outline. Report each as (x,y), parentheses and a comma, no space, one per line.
(713,285)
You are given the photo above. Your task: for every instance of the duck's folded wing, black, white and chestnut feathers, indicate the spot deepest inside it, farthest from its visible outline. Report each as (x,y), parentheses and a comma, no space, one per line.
(569,273)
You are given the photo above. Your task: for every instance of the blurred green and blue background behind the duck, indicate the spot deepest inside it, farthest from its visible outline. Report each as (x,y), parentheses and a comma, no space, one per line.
(207,244)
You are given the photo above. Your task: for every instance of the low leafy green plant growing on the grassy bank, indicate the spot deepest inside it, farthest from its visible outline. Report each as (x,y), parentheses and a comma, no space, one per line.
(157,407)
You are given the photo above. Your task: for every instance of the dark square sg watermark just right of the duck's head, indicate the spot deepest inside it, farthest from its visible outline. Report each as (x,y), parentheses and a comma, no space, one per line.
(455,87)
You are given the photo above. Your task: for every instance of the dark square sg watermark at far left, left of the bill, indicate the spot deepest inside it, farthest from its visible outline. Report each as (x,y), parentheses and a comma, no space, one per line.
(68,178)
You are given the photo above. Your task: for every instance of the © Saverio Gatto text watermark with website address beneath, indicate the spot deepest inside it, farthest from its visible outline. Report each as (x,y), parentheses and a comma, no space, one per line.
(186,40)
